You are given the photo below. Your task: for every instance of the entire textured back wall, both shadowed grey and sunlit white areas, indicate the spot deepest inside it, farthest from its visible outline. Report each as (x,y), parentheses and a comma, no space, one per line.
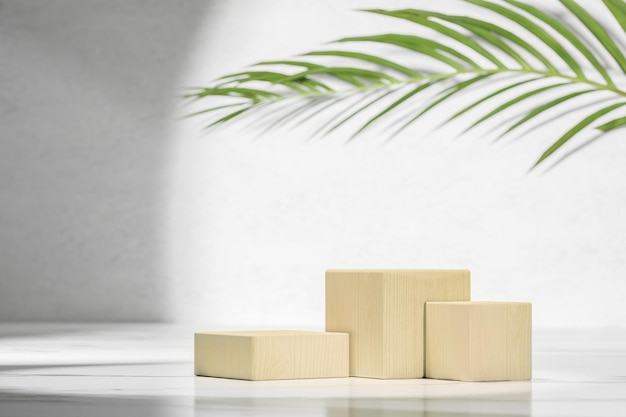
(112,209)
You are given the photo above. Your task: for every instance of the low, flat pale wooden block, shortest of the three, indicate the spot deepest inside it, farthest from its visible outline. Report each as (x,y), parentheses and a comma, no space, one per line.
(272,354)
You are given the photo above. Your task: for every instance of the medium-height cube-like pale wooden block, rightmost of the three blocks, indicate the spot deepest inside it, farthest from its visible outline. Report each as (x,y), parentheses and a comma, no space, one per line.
(479,341)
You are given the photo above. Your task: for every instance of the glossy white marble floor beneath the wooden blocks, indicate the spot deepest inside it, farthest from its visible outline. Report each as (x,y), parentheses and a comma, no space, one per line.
(146,370)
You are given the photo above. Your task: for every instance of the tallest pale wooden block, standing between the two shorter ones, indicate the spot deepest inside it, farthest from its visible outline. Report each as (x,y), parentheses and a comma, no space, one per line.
(383,311)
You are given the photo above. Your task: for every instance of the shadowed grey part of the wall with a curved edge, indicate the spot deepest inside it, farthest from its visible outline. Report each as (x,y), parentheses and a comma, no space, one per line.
(86,93)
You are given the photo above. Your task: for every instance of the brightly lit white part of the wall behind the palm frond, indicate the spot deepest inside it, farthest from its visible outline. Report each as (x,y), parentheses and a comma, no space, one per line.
(254,221)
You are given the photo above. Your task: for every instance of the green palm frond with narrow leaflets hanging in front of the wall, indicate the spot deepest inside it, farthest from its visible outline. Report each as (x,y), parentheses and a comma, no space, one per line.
(522,54)
